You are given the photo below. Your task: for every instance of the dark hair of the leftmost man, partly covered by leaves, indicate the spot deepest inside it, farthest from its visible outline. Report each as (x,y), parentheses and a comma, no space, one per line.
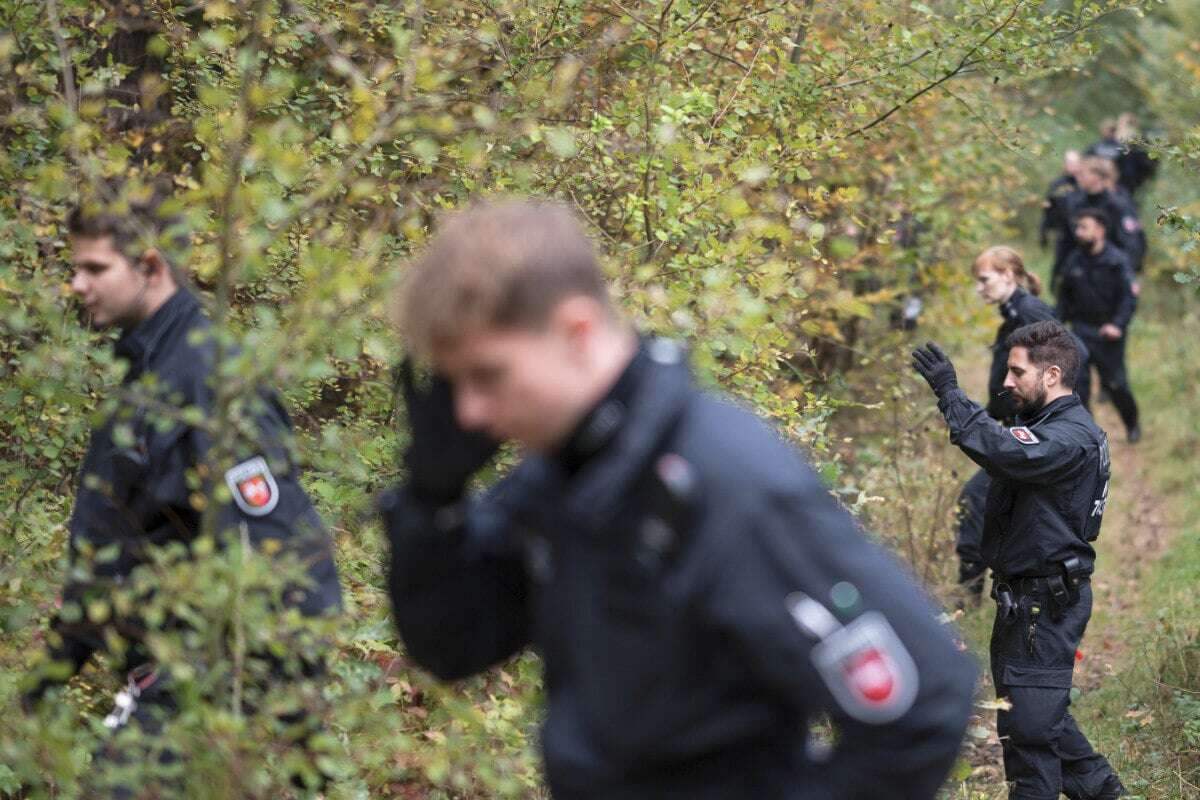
(134,215)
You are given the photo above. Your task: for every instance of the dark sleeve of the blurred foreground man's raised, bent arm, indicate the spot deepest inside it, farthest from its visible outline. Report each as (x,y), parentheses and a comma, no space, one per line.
(460,593)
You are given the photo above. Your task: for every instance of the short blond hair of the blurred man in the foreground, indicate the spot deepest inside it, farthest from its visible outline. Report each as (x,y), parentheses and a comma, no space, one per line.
(505,264)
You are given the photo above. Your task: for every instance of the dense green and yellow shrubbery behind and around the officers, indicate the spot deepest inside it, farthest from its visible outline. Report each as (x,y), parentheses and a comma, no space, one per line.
(770,181)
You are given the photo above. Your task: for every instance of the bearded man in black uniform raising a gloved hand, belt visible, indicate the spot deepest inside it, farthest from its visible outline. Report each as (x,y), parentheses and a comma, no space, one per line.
(1049,490)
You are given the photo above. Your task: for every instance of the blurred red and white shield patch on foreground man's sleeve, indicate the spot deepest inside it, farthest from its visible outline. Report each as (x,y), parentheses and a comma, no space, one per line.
(868,670)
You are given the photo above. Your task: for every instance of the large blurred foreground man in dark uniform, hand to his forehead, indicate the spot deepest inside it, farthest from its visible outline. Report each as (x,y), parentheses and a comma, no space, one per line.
(697,594)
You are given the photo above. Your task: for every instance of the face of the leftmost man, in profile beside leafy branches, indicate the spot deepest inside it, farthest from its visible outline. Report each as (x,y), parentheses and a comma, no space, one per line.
(107,284)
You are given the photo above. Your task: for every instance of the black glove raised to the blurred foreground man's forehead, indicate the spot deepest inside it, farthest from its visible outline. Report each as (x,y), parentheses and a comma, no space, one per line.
(441,456)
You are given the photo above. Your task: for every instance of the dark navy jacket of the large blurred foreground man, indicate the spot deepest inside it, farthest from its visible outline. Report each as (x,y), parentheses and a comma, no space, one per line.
(668,618)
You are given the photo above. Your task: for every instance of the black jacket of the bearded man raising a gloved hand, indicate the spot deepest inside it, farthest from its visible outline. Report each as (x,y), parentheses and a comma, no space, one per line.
(1049,488)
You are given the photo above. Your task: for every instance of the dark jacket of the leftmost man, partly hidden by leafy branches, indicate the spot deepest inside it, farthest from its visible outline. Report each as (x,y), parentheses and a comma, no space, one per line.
(135,485)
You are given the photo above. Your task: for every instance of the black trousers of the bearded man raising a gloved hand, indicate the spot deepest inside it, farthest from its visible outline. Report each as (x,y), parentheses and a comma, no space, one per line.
(1033,660)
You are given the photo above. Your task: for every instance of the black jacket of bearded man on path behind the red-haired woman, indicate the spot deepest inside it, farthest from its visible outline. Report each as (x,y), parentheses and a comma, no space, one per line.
(1096,290)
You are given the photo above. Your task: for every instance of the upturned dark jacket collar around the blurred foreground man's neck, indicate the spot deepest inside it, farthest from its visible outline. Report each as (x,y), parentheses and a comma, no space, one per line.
(655,392)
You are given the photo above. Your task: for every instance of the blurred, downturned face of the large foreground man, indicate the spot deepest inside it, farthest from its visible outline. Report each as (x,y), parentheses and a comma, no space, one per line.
(517,384)
